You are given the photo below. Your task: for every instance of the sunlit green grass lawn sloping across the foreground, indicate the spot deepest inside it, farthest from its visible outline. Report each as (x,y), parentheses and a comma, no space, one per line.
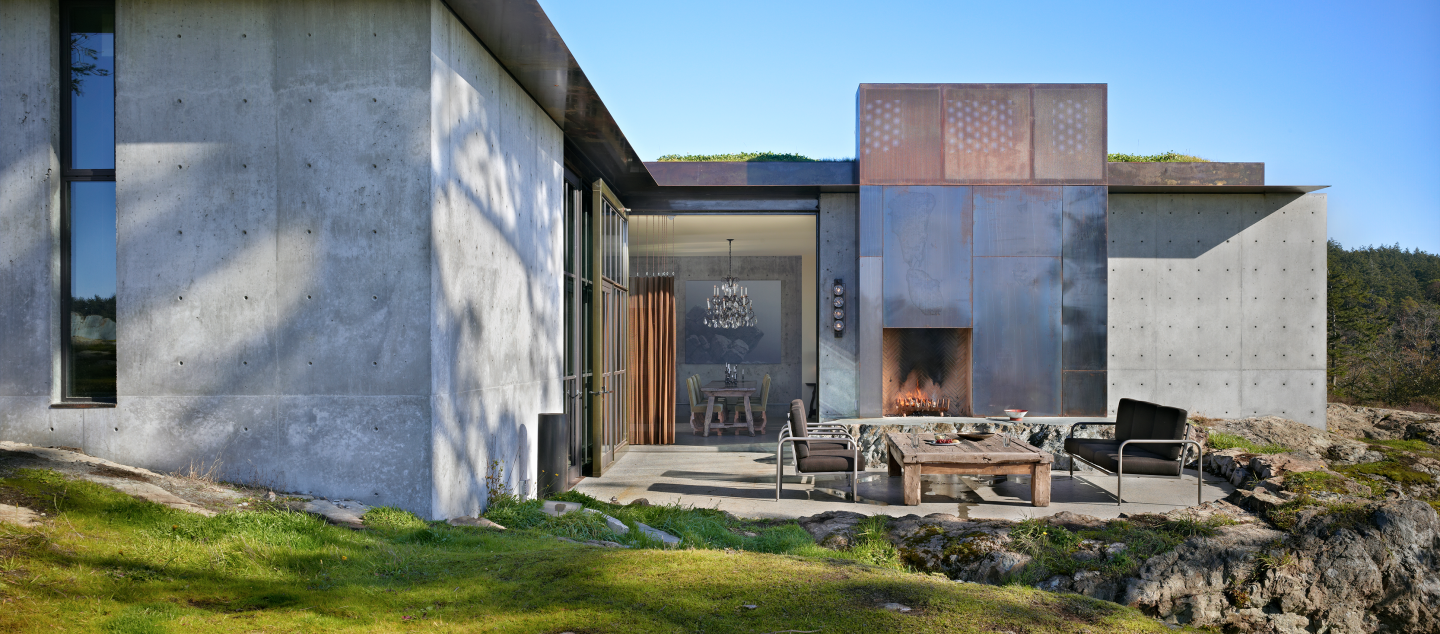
(109,563)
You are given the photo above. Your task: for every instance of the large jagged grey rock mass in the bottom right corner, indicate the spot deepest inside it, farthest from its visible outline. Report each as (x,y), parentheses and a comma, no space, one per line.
(1341,571)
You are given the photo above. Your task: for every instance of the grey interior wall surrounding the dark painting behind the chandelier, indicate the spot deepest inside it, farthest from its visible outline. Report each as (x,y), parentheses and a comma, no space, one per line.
(786,377)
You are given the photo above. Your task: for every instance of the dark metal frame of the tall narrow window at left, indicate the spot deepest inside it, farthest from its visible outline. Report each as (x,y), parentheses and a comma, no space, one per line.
(68,177)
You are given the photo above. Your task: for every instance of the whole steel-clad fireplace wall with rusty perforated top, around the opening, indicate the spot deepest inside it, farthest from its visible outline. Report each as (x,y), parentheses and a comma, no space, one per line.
(984,207)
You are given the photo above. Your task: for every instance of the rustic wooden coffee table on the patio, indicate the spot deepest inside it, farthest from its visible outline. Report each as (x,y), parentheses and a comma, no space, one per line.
(989,457)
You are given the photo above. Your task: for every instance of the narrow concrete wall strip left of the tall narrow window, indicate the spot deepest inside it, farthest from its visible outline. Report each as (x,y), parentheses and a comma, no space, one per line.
(30,200)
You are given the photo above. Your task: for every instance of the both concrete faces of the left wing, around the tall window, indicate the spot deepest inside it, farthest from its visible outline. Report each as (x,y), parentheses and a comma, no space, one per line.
(339,253)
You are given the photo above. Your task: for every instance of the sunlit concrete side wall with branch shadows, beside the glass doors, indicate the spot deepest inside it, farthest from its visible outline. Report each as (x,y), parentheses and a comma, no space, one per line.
(496,273)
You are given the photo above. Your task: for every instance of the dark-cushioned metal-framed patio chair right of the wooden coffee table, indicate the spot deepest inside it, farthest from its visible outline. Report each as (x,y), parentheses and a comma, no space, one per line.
(1164,433)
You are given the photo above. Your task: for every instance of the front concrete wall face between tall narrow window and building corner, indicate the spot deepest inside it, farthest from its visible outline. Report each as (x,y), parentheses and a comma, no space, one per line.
(273,184)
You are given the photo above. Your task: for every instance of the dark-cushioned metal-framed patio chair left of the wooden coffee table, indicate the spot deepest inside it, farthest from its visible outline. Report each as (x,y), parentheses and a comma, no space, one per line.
(819,450)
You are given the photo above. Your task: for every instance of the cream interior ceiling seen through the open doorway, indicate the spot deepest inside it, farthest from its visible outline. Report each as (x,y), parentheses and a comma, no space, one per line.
(755,234)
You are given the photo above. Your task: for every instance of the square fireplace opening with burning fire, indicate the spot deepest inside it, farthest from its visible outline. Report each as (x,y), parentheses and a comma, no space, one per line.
(927,372)
